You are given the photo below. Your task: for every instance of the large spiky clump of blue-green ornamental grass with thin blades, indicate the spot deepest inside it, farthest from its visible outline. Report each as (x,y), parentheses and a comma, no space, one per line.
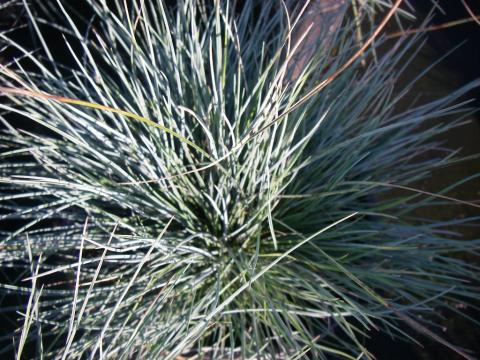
(181,189)
